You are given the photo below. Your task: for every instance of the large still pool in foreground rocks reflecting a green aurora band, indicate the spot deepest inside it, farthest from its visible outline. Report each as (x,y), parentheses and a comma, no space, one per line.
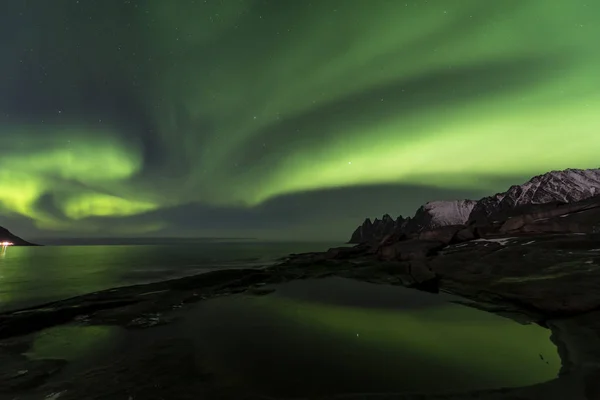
(340,336)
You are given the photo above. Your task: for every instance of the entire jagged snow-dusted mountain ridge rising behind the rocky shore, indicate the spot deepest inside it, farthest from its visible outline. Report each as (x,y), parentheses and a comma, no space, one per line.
(566,186)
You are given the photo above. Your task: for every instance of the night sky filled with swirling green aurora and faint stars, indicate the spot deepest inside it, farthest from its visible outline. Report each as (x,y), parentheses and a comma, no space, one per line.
(283,119)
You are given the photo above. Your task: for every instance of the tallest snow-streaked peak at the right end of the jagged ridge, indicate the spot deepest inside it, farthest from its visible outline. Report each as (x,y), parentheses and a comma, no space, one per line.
(566,186)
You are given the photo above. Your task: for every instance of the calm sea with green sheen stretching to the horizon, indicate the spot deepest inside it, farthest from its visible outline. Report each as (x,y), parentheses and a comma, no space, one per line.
(31,276)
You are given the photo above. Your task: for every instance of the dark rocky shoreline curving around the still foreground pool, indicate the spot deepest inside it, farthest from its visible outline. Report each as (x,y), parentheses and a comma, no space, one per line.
(539,267)
